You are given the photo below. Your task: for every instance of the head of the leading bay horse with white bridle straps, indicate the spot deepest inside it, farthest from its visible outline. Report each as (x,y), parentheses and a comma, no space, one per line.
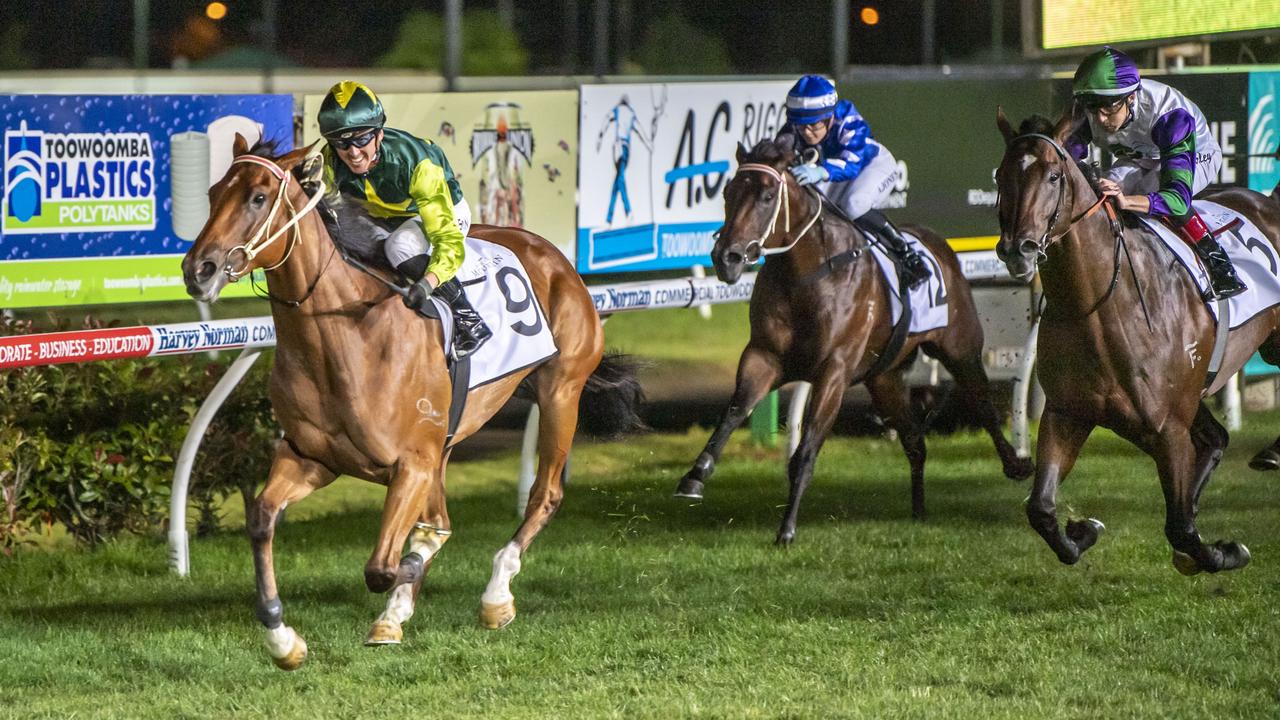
(250,211)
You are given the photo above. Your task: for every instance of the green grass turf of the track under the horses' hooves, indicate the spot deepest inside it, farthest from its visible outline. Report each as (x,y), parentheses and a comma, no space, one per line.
(637,605)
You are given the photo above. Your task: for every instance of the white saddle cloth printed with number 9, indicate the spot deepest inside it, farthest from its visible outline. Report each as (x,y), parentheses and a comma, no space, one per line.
(499,288)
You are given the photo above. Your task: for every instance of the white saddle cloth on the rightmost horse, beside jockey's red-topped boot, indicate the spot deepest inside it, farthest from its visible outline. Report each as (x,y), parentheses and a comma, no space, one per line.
(1255,259)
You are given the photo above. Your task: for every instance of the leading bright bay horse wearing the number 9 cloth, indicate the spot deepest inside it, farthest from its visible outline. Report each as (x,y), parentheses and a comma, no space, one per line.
(360,386)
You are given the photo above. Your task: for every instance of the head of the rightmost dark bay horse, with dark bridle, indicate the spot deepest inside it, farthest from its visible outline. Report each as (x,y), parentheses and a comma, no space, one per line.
(1036,192)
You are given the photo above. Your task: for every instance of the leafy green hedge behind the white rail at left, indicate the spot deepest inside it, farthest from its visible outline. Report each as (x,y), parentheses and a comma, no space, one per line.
(92,446)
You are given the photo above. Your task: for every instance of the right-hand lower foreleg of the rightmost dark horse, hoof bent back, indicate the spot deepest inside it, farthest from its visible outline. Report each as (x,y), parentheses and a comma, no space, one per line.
(1186,461)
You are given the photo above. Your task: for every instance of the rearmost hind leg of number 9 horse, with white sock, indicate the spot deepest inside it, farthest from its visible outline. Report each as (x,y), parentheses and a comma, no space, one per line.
(557,402)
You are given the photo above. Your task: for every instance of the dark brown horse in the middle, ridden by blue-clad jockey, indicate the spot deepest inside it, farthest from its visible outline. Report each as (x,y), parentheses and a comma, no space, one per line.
(821,313)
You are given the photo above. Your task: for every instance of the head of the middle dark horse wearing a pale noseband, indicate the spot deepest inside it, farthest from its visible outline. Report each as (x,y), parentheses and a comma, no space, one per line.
(755,199)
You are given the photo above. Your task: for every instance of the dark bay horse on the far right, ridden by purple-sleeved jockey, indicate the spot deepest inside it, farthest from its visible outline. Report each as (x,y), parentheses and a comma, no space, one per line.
(1124,341)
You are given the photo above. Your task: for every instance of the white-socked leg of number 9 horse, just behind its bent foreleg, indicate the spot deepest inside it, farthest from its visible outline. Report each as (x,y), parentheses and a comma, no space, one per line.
(429,535)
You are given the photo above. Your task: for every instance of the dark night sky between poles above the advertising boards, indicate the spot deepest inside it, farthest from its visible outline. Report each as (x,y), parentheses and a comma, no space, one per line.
(762,38)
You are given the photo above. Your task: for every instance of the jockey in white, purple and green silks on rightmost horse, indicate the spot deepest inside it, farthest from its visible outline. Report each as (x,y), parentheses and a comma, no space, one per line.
(1165,153)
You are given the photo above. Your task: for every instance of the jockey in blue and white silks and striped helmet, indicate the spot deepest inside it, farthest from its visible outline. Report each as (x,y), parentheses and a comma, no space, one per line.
(854,171)
